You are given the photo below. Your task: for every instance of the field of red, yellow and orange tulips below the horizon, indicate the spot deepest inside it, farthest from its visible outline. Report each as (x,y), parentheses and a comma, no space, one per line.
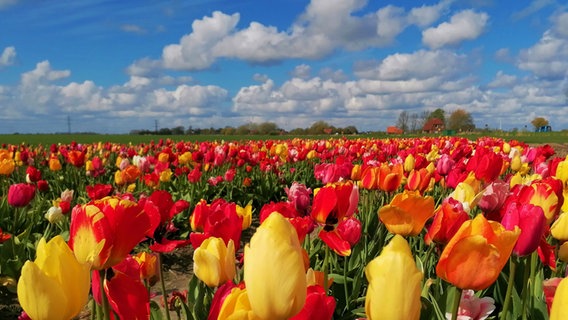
(299,228)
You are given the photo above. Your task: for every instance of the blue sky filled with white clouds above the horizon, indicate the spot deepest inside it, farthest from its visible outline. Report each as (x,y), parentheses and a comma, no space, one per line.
(114,66)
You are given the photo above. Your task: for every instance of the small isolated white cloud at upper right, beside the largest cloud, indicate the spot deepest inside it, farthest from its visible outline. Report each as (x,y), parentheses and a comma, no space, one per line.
(464,25)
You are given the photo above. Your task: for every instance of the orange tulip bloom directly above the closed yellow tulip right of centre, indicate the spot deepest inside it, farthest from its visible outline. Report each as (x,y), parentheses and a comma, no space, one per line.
(407,213)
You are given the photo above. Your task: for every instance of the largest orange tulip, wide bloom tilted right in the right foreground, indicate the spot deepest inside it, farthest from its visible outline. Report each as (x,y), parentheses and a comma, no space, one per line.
(479,244)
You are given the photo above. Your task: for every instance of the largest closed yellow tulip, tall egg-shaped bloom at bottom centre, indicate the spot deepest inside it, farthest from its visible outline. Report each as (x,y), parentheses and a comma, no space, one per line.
(274,270)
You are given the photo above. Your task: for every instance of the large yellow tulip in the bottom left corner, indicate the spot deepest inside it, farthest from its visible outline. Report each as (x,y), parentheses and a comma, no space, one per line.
(55,285)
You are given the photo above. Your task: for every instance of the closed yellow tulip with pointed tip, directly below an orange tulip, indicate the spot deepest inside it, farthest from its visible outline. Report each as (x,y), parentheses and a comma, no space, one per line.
(394,283)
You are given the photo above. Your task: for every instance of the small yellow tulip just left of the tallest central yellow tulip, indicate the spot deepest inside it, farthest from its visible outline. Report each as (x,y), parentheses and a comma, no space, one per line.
(214,262)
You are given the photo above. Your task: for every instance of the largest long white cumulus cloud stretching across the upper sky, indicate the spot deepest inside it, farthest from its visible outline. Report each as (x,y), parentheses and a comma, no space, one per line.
(324,26)
